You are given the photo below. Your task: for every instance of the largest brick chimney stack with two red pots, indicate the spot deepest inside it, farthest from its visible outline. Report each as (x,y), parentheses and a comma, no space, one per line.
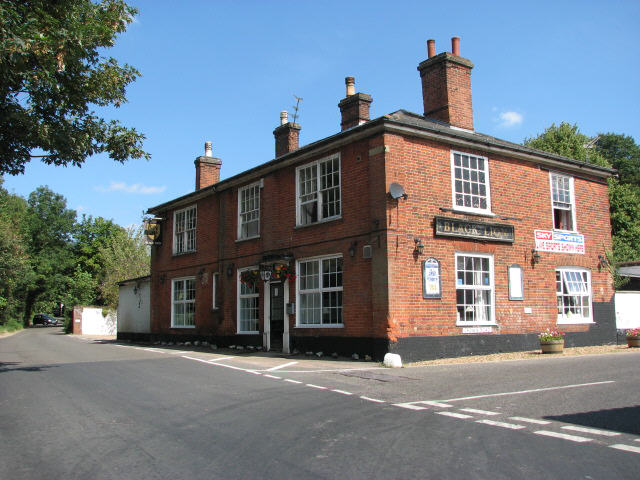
(446,86)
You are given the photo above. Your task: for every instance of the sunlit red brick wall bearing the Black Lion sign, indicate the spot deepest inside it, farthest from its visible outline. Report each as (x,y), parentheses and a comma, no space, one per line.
(518,189)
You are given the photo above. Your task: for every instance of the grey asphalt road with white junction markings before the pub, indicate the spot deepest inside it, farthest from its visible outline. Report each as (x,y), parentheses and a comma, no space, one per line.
(81,408)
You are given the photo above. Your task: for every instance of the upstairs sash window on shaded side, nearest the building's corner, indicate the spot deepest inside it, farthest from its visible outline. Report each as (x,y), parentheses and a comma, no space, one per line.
(318,191)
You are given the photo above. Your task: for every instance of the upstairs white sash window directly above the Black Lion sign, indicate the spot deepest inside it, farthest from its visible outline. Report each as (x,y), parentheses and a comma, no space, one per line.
(470,182)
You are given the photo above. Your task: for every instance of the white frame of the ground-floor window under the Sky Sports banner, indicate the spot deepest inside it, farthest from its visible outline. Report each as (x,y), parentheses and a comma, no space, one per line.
(584,291)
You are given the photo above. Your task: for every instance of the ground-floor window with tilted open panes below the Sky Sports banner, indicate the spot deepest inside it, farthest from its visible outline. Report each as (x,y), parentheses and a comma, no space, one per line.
(573,291)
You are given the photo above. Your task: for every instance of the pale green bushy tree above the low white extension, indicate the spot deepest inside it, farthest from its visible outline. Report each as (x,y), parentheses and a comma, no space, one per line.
(126,256)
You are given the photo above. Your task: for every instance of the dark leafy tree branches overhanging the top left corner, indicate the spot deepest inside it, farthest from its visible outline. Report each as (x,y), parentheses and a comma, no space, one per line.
(52,73)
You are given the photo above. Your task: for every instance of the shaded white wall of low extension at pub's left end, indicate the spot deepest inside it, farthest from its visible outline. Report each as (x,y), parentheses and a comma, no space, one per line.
(134,313)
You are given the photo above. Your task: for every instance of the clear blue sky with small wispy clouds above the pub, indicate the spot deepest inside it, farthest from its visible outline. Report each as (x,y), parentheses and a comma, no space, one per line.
(223,70)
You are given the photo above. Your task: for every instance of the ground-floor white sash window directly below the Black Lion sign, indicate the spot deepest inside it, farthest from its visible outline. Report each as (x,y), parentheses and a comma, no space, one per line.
(474,289)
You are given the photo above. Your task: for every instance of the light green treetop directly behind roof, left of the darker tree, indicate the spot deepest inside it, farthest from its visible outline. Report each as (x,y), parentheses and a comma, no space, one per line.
(567,140)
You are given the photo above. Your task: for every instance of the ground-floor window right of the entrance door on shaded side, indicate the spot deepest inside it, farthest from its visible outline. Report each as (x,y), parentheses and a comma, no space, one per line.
(320,292)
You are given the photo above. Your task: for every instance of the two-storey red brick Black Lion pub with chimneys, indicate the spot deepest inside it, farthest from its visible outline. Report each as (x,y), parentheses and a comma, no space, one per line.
(406,233)
